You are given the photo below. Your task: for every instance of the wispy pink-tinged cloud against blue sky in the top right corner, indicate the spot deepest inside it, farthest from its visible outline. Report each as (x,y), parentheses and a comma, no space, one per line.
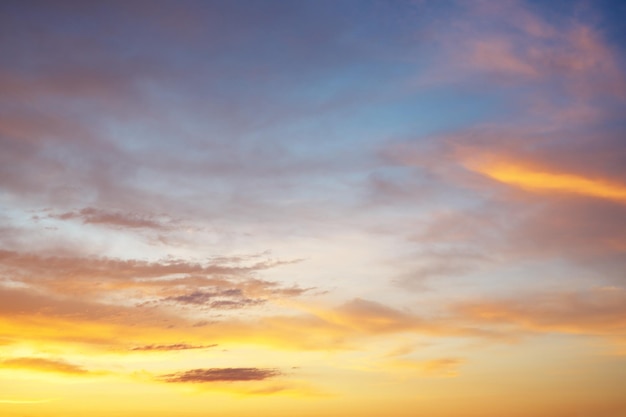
(511,44)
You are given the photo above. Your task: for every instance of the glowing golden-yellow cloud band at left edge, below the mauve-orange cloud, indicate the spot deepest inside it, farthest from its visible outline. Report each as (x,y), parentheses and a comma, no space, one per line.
(32,318)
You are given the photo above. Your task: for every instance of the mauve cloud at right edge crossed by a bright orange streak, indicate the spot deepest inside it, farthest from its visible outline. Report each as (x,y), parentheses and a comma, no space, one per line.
(556,194)
